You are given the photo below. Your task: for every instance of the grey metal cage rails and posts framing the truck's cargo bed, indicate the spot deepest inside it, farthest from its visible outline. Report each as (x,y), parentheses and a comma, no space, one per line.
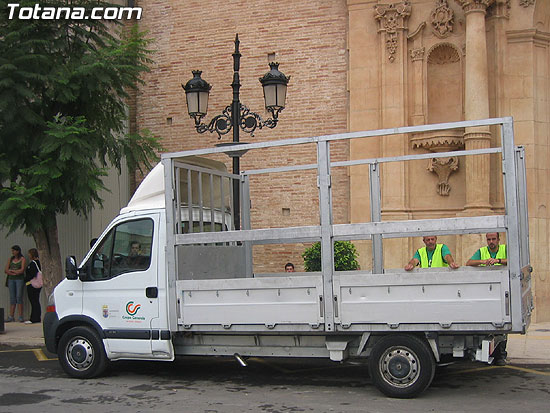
(514,221)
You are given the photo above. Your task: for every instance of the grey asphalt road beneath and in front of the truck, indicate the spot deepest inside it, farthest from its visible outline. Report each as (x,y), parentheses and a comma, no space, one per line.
(266,385)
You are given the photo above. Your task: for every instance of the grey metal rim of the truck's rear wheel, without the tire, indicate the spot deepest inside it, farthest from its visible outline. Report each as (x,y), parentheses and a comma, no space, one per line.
(399,366)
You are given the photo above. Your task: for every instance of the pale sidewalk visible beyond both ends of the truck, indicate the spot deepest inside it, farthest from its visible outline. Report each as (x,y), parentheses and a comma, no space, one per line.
(530,348)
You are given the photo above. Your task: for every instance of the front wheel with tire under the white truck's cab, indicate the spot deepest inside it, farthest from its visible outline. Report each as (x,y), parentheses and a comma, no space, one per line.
(81,353)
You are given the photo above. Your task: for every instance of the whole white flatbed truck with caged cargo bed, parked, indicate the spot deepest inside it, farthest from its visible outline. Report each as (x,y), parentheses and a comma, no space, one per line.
(193,290)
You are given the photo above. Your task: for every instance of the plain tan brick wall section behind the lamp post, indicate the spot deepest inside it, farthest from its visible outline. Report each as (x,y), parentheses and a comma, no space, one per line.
(309,41)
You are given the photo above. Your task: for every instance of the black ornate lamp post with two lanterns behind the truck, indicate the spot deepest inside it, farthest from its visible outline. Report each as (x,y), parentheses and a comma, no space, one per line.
(237,116)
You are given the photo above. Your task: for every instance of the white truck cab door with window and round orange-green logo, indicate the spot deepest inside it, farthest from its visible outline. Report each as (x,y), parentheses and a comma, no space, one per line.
(120,291)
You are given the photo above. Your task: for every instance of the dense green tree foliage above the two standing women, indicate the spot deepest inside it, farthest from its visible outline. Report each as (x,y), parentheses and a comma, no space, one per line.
(63,90)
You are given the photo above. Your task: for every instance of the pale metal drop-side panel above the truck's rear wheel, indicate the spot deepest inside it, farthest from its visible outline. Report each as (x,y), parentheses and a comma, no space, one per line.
(441,298)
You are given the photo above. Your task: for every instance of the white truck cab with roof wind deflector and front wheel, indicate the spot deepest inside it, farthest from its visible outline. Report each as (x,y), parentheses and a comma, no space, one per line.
(114,304)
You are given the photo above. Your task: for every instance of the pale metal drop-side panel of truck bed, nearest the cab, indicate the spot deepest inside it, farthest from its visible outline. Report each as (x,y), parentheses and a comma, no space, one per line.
(262,302)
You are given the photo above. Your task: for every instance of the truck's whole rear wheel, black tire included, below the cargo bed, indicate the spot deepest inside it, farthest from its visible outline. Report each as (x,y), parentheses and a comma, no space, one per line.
(401,366)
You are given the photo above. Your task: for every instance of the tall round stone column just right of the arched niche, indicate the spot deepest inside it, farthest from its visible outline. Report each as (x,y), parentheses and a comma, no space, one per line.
(476,107)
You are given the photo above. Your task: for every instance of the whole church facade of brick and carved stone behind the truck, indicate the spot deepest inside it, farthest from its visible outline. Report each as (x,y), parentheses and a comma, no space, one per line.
(361,65)
